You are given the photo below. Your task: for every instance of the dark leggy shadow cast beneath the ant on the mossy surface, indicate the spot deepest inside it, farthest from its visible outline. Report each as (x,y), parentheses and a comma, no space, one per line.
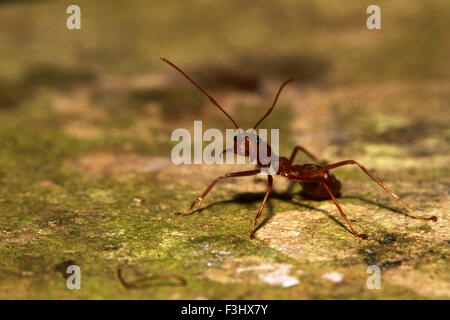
(288,196)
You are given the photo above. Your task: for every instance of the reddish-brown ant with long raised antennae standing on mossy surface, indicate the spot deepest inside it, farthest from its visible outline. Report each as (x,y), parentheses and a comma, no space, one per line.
(317,180)
